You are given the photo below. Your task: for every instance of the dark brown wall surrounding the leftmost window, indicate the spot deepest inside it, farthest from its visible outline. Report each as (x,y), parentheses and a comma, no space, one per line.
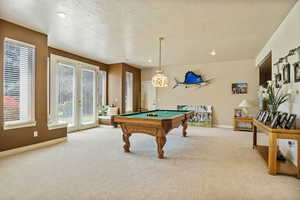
(14,138)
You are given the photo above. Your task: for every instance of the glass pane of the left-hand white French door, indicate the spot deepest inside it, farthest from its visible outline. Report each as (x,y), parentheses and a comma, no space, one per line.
(66,94)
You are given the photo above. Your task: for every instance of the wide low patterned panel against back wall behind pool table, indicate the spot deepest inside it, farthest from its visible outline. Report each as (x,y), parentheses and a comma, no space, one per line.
(202,115)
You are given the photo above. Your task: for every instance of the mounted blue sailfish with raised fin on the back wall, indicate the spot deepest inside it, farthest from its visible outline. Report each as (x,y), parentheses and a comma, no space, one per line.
(191,79)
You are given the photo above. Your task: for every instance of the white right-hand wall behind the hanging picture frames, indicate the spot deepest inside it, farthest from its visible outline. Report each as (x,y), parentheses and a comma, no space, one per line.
(285,38)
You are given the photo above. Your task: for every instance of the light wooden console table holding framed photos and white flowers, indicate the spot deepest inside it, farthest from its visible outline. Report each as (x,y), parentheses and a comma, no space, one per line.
(269,153)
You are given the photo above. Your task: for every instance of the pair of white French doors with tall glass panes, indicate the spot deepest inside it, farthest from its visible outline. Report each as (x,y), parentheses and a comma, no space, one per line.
(75,100)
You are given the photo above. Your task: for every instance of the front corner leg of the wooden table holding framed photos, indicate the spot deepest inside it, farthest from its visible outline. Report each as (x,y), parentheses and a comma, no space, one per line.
(272,162)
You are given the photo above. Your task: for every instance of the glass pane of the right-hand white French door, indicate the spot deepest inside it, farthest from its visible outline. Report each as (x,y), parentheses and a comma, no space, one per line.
(88,94)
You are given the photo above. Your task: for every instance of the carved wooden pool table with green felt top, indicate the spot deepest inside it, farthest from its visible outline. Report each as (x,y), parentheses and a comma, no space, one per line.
(157,126)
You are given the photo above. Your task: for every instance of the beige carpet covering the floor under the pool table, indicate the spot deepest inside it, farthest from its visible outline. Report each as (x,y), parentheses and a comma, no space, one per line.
(208,164)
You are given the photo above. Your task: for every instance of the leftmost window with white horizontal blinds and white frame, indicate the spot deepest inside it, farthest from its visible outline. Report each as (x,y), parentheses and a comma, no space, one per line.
(18,82)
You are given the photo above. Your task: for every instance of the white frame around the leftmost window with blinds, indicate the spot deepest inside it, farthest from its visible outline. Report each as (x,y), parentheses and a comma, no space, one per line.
(31,122)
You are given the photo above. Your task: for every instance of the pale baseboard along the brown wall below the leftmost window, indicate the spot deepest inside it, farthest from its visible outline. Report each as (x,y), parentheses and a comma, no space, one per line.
(32,147)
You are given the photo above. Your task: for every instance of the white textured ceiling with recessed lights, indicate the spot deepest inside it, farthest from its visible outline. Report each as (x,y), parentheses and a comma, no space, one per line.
(114,31)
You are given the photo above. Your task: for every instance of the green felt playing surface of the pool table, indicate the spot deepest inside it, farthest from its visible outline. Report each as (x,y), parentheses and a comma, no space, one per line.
(162,114)
